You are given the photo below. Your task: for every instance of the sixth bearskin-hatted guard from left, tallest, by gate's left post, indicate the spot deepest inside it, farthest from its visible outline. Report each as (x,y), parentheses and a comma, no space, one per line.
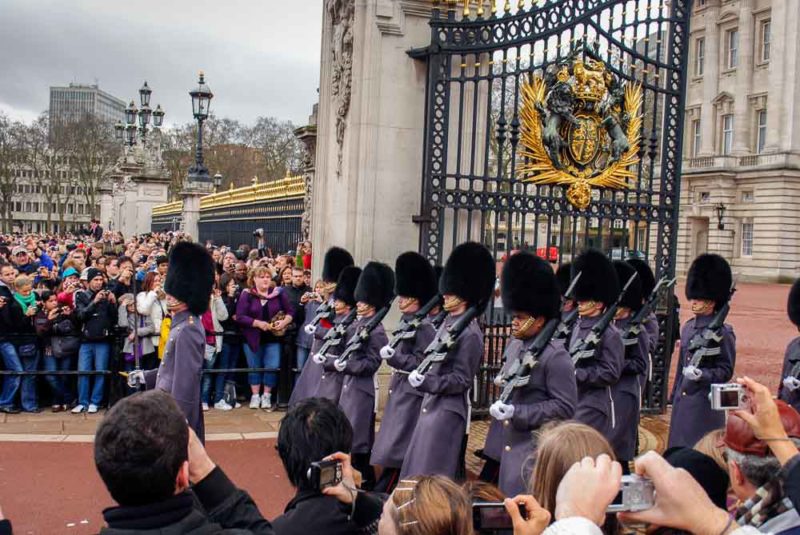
(436,447)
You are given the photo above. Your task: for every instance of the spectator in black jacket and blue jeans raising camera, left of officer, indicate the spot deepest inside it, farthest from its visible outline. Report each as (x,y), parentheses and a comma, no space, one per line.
(97,310)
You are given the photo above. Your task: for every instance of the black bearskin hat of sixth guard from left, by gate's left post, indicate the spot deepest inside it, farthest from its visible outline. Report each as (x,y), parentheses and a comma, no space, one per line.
(469,273)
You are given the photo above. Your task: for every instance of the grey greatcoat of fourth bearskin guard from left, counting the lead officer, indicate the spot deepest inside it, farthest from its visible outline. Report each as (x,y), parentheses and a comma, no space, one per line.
(358,387)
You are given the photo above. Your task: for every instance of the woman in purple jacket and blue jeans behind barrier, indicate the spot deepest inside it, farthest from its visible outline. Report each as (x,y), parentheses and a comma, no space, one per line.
(257,312)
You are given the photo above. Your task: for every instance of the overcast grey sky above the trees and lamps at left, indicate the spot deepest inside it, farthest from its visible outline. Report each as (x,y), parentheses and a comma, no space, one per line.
(260,57)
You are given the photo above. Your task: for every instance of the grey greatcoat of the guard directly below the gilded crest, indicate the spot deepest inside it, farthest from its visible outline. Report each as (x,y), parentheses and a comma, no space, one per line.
(596,375)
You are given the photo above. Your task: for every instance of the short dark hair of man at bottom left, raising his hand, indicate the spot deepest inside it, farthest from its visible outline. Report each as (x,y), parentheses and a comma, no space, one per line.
(140,446)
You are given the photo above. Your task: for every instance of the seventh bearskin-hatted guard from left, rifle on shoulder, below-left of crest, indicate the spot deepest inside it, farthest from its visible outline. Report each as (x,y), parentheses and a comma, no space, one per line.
(531,295)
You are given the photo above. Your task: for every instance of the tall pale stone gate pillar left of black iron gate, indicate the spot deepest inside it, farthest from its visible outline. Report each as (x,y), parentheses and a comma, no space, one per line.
(367,181)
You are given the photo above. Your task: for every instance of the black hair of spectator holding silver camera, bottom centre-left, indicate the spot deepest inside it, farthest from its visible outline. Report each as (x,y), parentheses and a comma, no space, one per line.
(310,431)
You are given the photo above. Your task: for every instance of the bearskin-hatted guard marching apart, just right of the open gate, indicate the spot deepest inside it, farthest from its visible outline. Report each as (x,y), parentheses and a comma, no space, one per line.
(708,288)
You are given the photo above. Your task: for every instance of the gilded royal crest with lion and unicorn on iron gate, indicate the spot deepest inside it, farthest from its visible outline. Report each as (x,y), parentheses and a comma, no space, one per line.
(580,127)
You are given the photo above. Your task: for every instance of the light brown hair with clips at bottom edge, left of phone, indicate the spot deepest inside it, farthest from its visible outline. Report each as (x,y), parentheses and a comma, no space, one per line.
(430,505)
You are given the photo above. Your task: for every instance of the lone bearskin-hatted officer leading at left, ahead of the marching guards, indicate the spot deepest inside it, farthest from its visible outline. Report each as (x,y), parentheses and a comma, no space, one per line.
(190,279)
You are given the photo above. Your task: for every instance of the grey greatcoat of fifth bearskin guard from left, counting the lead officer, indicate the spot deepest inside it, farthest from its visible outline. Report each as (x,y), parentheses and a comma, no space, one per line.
(404,401)
